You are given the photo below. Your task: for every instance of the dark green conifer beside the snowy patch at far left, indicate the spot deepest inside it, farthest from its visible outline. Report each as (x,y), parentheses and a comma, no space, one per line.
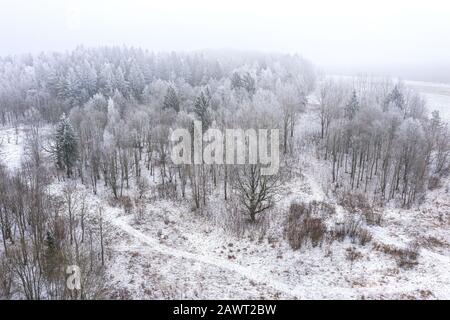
(66,146)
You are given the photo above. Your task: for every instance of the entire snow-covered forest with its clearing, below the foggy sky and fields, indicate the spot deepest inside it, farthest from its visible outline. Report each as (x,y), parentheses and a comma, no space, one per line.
(360,207)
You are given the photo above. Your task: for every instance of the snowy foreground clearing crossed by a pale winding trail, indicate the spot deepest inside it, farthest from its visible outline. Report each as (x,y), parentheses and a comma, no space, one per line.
(179,254)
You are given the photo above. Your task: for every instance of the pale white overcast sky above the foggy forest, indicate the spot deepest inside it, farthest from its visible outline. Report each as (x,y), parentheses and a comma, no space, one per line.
(334,34)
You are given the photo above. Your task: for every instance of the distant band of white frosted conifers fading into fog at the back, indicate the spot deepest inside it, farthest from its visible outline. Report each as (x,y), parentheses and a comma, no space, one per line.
(48,84)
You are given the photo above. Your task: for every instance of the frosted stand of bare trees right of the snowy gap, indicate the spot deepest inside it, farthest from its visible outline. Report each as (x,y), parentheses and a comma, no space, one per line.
(380,139)
